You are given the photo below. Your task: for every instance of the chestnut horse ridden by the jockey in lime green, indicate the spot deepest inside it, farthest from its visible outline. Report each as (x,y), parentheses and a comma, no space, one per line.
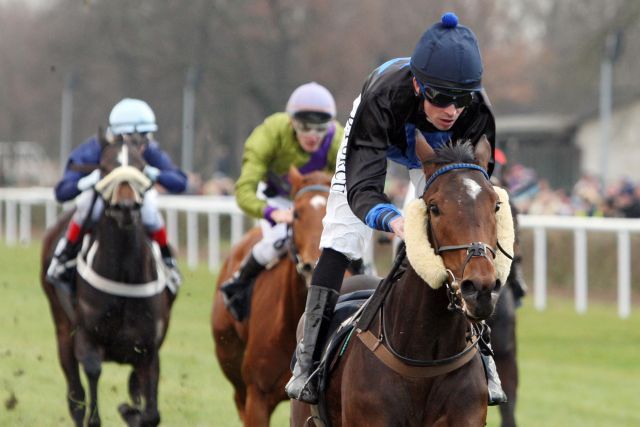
(255,354)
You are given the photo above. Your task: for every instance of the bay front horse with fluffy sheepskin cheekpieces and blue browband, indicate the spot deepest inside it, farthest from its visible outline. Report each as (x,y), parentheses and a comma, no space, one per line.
(415,362)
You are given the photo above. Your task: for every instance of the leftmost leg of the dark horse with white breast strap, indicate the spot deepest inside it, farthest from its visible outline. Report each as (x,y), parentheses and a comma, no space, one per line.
(75,391)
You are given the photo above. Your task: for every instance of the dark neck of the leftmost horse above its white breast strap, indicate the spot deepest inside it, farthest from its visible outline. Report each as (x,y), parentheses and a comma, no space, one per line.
(123,254)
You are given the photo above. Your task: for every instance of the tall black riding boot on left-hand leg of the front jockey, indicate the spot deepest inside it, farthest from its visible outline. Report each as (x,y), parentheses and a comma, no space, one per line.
(318,312)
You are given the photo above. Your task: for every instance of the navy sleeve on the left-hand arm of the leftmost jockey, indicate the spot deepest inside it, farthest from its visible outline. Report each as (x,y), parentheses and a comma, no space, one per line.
(86,153)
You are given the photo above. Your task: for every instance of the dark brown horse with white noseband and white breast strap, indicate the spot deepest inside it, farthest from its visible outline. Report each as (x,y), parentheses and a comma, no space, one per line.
(122,309)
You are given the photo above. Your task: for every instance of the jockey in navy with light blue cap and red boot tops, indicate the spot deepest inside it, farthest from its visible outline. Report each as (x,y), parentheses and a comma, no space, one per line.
(130,120)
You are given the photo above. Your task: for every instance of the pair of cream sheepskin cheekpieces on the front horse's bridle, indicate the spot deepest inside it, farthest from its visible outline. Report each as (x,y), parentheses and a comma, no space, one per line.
(430,266)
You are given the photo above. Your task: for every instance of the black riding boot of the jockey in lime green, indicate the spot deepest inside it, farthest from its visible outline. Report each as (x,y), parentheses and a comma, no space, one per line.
(237,290)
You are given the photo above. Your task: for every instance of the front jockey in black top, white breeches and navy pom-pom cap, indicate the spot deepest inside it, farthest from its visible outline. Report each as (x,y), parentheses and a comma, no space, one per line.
(437,91)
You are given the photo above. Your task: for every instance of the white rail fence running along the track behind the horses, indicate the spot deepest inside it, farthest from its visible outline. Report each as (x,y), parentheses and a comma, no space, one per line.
(16,225)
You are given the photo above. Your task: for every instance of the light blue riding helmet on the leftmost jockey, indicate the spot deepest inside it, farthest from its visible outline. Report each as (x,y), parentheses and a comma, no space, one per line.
(132,115)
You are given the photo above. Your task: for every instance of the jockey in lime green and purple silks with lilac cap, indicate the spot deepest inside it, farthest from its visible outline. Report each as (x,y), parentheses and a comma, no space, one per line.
(306,136)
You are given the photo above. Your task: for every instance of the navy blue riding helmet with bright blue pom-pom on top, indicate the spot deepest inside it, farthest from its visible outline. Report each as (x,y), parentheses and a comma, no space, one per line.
(447,57)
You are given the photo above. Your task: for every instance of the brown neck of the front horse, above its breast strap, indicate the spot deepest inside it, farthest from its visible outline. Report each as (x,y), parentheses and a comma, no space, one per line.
(418,323)
